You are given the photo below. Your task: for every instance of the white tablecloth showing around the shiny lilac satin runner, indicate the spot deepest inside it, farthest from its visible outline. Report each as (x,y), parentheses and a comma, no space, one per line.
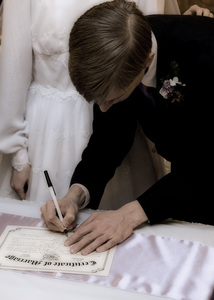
(15,285)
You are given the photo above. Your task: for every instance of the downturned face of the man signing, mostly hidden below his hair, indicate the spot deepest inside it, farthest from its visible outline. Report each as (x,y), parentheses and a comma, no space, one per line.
(117,95)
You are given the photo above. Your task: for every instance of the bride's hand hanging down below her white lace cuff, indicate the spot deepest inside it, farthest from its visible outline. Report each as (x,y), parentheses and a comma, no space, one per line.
(19,181)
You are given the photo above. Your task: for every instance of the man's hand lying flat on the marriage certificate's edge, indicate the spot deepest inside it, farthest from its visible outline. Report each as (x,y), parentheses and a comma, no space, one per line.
(103,230)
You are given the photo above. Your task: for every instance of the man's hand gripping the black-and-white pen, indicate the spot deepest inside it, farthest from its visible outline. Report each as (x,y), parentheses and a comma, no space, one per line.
(69,206)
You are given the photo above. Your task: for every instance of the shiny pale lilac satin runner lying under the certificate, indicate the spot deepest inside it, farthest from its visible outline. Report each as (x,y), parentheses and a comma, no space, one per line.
(149,264)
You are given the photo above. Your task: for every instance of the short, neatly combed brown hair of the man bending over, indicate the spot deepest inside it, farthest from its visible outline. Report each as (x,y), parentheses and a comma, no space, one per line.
(109,45)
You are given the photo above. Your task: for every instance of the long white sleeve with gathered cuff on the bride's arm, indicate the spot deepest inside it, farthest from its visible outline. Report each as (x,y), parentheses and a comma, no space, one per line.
(15,78)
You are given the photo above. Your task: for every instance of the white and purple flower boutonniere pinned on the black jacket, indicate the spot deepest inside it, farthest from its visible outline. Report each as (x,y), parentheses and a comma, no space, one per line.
(172,88)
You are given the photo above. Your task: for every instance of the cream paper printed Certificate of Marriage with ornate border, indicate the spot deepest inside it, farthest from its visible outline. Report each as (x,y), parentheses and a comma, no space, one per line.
(38,249)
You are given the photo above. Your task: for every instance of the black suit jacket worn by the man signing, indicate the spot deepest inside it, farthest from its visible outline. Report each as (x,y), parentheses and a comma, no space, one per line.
(182,133)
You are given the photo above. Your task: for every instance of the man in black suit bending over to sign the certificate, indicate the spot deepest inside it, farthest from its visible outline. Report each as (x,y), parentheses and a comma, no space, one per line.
(176,116)
